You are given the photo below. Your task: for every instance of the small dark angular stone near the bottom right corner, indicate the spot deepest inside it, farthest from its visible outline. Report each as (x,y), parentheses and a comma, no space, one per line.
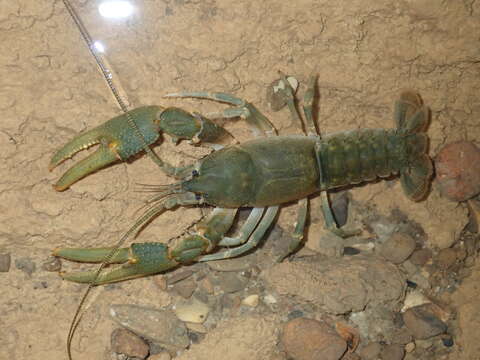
(422,323)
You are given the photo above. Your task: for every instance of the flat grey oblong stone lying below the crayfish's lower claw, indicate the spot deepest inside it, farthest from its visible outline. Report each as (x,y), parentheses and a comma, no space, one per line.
(160,326)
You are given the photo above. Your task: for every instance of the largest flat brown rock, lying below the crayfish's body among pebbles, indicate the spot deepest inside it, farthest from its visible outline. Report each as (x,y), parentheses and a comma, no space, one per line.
(339,285)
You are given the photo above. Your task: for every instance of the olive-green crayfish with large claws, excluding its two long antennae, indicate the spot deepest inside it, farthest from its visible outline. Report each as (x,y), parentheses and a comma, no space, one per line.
(261,173)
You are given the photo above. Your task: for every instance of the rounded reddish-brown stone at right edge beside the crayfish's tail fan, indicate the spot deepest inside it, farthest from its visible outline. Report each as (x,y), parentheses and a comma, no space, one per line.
(457,168)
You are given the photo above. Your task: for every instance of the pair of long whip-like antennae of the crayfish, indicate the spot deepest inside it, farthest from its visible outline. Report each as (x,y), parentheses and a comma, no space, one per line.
(108,76)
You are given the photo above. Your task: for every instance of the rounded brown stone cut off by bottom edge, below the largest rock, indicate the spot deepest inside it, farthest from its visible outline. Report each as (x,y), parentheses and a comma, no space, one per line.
(307,339)
